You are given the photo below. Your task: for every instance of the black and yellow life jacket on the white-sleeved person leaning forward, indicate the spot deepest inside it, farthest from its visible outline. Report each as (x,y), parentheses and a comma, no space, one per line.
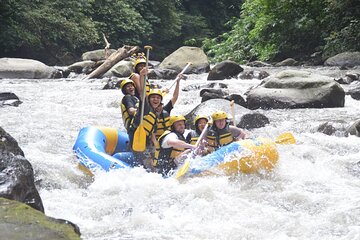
(164,157)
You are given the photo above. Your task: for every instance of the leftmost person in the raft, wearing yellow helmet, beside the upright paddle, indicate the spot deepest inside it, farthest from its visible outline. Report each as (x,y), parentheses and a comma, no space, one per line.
(129,103)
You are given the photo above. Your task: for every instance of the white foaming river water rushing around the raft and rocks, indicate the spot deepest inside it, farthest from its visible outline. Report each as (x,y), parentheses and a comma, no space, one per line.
(313,193)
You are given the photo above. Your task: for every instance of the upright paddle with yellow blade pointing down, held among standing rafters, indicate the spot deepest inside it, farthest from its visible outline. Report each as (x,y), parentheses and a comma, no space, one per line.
(139,141)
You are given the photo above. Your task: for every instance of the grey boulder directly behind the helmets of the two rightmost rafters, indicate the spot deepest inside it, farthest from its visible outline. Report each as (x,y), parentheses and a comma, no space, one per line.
(210,106)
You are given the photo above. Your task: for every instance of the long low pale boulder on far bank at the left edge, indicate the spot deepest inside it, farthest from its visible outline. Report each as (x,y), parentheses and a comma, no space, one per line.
(25,68)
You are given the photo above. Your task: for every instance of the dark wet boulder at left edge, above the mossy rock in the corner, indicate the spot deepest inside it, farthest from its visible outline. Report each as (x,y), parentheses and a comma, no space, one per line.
(16,174)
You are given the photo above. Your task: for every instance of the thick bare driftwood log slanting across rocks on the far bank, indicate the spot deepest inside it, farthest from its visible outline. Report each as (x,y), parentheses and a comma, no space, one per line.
(114,58)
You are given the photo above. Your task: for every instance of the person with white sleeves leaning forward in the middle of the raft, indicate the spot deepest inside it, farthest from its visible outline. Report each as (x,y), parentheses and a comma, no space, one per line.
(172,145)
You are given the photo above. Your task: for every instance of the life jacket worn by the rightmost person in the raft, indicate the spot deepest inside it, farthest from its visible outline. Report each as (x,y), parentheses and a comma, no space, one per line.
(217,138)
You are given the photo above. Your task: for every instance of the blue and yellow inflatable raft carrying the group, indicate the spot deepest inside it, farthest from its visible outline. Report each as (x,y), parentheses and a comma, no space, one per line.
(107,148)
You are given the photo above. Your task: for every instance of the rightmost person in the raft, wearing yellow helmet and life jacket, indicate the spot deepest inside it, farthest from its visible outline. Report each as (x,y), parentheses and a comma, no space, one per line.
(220,133)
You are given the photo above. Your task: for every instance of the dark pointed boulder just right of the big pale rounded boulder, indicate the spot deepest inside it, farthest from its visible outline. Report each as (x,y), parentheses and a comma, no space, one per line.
(224,70)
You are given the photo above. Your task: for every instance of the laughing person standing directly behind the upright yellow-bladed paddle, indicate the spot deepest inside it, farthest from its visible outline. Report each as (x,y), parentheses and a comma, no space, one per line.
(152,101)
